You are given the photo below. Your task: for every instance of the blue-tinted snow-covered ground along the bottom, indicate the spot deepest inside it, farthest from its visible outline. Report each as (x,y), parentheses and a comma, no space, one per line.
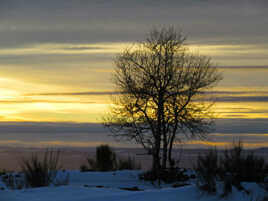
(108,186)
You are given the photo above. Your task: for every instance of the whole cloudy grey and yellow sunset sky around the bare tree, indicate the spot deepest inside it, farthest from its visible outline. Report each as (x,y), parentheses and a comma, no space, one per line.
(56,58)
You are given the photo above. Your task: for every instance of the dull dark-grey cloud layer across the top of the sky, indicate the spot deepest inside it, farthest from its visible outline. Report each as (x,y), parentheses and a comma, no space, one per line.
(31,21)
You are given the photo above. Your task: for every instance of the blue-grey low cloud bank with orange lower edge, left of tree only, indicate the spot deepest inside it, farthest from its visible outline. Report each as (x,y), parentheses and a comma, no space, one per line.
(38,134)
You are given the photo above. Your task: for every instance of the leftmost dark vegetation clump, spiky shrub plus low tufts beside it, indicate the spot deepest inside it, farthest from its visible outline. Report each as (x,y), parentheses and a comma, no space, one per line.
(37,171)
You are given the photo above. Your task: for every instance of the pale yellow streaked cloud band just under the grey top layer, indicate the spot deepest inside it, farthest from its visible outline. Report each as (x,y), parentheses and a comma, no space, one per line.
(92,52)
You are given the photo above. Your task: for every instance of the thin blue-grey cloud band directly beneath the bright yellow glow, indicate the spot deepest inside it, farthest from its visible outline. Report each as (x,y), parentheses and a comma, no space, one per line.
(225,126)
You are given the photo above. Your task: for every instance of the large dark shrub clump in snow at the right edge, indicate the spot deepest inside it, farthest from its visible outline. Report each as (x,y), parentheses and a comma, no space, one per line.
(232,168)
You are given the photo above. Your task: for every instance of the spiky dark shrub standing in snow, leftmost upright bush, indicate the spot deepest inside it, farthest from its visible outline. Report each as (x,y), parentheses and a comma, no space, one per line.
(39,172)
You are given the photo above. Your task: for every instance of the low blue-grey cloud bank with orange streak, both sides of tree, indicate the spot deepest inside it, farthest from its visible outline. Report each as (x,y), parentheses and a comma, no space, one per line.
(253,132)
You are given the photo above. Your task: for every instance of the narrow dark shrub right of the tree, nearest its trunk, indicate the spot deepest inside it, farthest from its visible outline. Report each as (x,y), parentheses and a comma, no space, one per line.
(207,170)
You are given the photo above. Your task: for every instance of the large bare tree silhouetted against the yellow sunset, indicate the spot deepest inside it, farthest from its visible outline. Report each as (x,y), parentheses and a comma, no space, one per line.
(161,94)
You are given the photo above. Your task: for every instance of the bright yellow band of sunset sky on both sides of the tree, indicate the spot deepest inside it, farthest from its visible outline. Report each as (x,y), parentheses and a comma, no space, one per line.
(42,82)
